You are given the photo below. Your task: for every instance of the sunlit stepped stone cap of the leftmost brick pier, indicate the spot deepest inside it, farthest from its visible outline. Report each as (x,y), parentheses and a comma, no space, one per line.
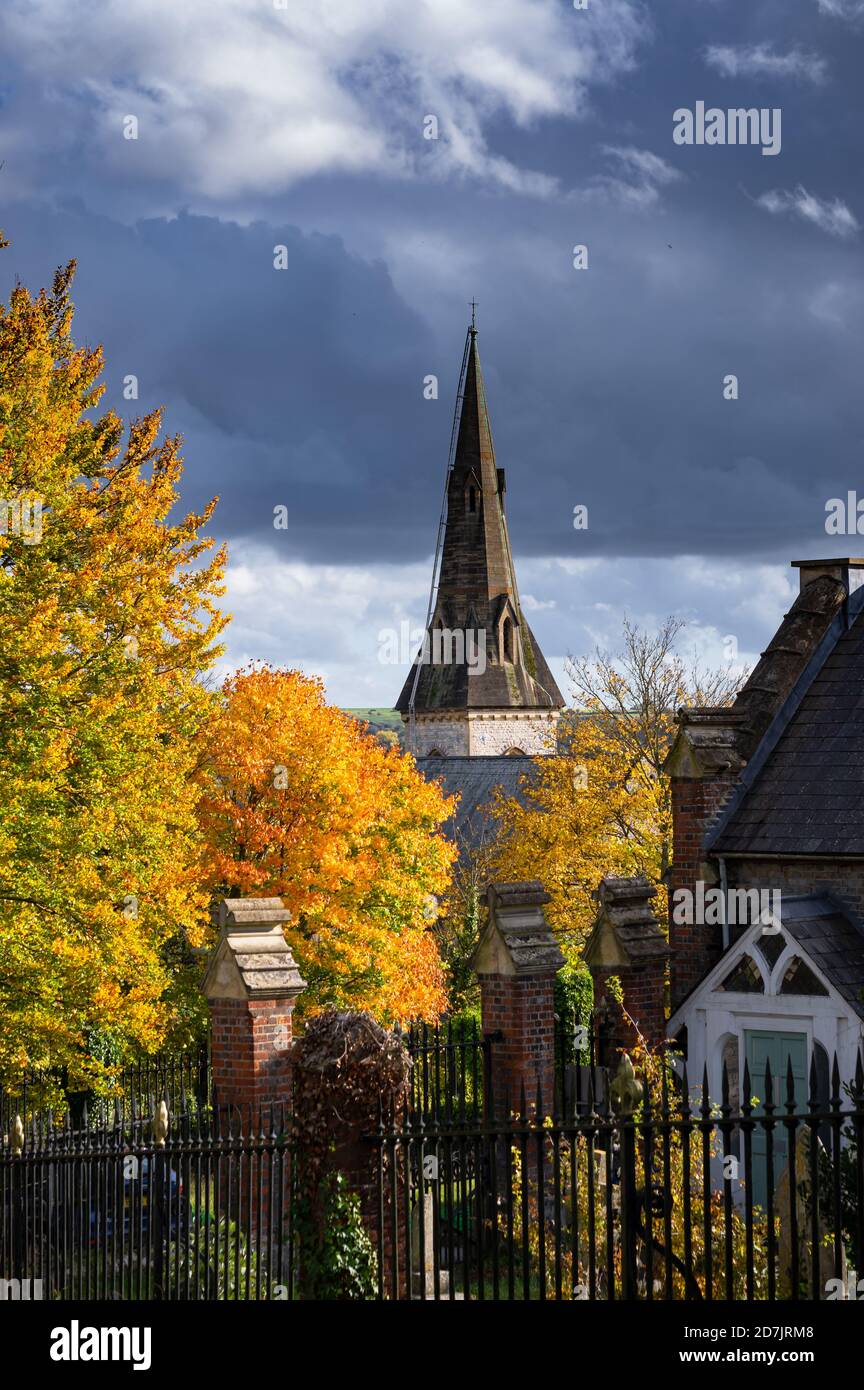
(252,960)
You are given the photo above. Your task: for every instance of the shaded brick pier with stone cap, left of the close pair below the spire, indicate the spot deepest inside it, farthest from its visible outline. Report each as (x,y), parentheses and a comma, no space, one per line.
(516,964)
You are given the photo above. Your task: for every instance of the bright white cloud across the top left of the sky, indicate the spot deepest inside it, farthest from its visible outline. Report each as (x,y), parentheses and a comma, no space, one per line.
(238,97)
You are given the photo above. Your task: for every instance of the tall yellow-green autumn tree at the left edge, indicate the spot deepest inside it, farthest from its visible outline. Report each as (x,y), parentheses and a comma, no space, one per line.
(108,621)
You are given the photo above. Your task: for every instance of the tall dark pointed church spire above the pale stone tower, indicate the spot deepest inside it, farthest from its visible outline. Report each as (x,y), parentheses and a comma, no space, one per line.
(477,582)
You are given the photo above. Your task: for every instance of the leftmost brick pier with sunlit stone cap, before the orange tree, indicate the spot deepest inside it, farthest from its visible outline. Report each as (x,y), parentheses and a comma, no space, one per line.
(252,985)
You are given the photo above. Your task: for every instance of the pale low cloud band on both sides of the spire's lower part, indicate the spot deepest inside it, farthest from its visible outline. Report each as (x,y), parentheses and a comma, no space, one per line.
(329,619)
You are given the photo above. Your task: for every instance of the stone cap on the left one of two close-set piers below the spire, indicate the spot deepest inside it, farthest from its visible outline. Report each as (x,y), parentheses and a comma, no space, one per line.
(517,939)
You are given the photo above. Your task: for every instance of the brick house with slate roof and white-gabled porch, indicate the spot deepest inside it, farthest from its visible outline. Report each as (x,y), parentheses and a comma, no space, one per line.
(767,882)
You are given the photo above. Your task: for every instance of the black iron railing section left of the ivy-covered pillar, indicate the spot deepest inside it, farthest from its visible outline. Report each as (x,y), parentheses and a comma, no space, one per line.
(180,1207)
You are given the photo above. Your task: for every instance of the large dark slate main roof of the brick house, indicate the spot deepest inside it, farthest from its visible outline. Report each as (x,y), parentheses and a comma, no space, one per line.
(806,794)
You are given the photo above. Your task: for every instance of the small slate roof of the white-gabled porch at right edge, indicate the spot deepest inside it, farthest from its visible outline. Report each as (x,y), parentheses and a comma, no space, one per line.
(833,938)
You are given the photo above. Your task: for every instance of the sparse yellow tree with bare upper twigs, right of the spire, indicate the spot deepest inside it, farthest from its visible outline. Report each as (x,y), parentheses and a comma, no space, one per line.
(604,806)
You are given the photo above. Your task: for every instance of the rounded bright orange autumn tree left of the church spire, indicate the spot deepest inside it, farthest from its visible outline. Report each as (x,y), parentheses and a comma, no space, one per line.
(301,801)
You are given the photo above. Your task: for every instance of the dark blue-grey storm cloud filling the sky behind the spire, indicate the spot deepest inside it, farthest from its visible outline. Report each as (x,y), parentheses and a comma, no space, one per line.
(304,389)
